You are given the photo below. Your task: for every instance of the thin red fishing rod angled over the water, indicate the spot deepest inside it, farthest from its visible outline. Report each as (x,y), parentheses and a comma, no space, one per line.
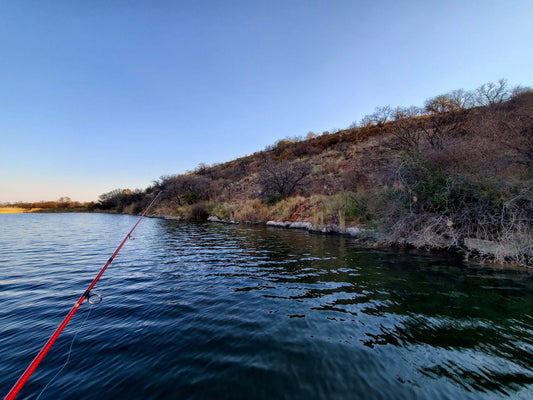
(86,295)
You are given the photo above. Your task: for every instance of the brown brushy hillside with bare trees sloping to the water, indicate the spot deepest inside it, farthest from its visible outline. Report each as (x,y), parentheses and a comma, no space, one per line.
(456,174)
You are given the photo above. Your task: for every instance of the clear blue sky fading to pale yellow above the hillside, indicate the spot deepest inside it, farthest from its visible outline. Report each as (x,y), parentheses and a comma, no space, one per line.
(98,95)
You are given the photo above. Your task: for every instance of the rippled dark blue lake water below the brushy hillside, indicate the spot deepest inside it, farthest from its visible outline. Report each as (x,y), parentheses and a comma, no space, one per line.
(209,311)
